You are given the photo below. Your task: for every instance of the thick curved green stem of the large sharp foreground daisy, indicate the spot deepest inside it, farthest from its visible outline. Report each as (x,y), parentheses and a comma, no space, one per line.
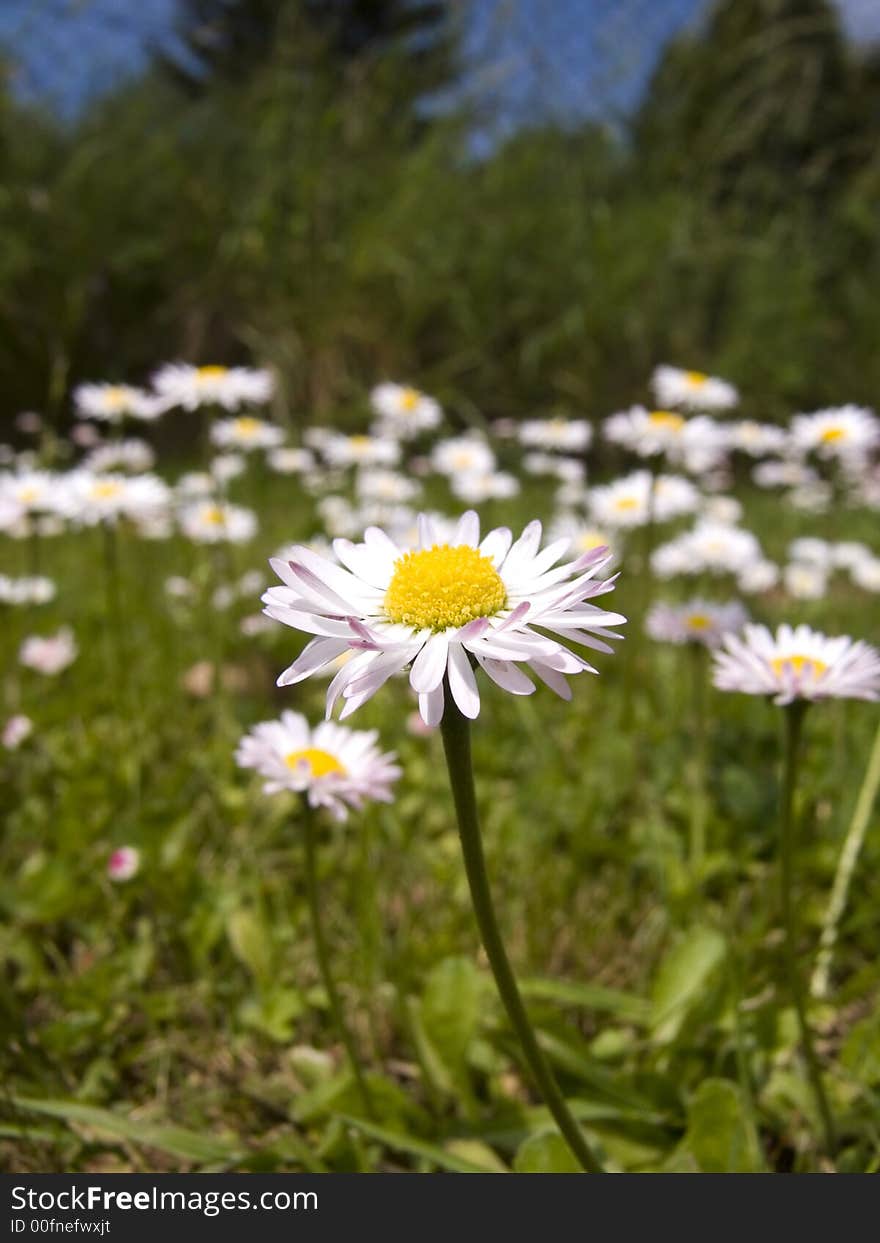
(458,746)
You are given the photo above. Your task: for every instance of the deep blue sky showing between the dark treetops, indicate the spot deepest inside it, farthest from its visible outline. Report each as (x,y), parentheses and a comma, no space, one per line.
(572,57)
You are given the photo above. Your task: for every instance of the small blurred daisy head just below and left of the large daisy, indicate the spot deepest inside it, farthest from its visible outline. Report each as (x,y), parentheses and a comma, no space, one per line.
(331,765)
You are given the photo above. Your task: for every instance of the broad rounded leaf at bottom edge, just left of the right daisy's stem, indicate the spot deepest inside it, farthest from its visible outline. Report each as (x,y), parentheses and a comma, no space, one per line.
(722,1137)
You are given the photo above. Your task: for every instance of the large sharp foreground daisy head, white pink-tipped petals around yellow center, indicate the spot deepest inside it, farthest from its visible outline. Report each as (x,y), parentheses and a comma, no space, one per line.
(438,607)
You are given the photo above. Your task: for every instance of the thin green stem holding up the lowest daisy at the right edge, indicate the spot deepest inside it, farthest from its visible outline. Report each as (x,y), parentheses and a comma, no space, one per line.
(795,715)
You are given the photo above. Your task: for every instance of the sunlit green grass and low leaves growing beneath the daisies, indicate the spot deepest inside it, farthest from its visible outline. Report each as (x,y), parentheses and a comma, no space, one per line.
(177,1022)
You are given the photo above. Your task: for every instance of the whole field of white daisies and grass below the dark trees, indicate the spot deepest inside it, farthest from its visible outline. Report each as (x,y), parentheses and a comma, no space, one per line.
(422,795)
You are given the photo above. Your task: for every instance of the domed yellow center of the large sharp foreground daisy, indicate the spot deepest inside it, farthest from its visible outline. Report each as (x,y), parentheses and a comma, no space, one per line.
(444,587)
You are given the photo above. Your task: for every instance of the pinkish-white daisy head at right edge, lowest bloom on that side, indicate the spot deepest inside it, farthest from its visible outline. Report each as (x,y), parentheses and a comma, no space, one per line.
(797,664)
